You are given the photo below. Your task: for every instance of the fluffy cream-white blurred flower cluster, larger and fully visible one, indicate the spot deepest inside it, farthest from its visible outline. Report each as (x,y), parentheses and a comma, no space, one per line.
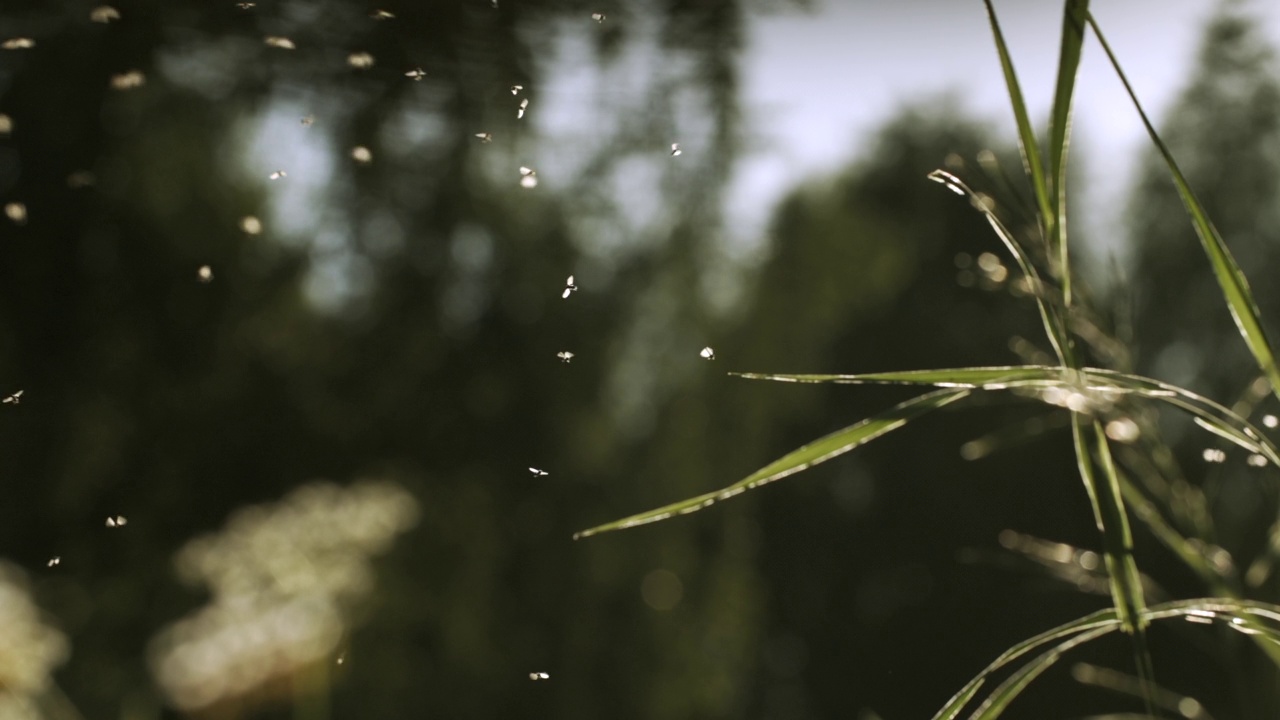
(284,580)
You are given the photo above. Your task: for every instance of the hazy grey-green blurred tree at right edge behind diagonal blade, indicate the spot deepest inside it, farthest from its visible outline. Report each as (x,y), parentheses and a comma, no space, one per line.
(1226,133)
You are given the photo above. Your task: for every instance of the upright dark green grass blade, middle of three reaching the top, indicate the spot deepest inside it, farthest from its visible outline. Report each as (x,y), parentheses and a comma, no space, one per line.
(1060,133)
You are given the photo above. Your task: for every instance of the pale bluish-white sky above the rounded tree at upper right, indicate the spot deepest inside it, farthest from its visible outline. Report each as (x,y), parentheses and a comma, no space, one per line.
(819,81)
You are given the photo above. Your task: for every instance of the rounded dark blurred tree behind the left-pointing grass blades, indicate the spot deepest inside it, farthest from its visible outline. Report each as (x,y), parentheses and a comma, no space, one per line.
(871,607)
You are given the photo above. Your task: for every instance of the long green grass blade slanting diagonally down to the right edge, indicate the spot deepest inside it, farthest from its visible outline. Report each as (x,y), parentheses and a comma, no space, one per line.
(1231,279)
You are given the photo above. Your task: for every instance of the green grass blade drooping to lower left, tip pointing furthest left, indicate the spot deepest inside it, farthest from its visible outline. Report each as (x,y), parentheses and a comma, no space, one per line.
(813,454)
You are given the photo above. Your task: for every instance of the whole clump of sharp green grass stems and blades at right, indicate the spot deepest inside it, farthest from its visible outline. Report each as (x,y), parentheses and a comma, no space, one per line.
(1100,404)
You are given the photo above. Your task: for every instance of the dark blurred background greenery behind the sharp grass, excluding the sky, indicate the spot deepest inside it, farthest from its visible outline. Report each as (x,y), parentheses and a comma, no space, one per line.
(400,321)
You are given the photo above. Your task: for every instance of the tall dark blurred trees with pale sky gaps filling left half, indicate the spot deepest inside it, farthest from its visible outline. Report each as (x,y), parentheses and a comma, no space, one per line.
(396,318)
